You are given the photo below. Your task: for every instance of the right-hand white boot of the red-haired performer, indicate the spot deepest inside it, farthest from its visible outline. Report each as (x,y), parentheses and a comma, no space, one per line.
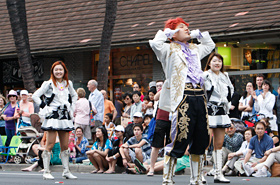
(195,169)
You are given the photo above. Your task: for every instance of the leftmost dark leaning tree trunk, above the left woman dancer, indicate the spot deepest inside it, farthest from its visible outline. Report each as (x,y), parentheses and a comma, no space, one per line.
(17,13)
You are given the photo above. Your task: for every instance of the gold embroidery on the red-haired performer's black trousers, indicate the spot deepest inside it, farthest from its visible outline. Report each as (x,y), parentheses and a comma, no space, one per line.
(183,122)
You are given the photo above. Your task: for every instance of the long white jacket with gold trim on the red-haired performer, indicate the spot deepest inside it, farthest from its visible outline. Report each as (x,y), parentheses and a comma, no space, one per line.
(175,66)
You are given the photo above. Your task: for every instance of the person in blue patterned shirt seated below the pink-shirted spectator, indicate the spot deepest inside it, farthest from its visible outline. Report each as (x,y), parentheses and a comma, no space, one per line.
(81,144)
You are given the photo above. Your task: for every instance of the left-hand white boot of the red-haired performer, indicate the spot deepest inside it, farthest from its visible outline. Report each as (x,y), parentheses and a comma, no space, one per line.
(168,168)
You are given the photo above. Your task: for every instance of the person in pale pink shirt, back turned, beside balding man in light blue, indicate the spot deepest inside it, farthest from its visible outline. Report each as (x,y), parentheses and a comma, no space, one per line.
(81,113)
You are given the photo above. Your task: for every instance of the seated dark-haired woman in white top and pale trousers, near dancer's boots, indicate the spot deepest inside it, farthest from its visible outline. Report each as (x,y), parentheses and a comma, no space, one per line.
(235,159)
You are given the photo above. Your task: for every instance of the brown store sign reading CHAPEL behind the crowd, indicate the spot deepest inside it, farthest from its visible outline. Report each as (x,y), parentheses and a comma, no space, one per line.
(133,62)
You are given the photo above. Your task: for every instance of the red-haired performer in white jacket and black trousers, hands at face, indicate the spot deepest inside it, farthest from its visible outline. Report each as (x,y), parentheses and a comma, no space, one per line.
(182,94)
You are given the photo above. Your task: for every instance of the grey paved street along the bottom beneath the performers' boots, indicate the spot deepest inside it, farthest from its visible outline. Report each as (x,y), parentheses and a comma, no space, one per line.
(35,178)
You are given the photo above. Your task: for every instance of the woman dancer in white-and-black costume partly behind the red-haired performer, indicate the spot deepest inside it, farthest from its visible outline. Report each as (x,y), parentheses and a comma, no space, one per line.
(219,91)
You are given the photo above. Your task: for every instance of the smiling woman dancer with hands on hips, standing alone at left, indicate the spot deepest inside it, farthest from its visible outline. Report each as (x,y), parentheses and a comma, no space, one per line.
(57,109)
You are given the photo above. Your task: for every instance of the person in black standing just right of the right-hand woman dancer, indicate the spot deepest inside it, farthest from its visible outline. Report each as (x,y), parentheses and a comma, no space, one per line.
(233,111)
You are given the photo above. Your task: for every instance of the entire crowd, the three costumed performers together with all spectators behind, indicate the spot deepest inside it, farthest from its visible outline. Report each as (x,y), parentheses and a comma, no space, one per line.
(188,114)
